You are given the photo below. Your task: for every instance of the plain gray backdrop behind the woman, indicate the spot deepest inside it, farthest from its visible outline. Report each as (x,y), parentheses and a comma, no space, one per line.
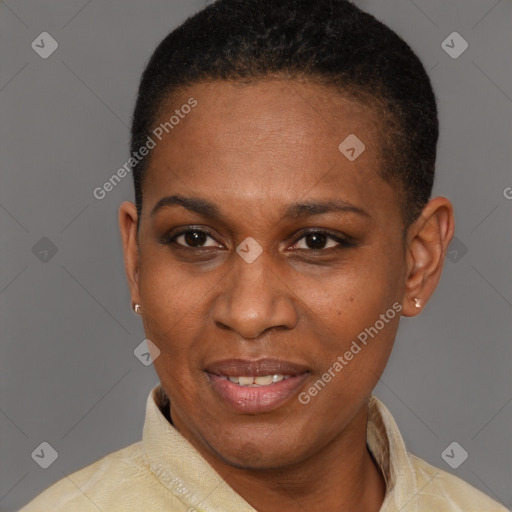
(68,372)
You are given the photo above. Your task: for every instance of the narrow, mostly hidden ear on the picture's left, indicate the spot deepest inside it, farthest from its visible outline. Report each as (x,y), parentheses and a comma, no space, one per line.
(128,225)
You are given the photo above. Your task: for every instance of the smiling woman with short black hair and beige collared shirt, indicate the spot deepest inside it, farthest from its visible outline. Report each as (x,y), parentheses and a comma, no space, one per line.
(283,158)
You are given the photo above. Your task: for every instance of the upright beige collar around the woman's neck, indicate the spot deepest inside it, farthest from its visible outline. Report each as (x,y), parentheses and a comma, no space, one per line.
(182,470)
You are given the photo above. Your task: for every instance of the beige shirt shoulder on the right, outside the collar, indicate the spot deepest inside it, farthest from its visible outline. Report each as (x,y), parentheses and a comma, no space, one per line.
(444,492)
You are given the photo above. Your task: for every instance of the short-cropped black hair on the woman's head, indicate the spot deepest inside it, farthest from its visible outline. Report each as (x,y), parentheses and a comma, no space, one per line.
(331,42)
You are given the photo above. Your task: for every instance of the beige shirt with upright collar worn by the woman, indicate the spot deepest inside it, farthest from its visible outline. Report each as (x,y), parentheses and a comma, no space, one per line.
(165,473)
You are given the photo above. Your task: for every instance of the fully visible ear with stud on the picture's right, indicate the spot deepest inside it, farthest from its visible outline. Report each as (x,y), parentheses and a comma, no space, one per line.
(427,243)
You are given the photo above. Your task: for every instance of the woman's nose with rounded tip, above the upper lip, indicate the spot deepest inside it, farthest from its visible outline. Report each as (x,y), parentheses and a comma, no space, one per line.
(253,299)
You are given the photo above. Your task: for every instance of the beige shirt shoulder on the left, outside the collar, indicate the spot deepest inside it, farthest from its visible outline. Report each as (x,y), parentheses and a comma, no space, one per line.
(117,482)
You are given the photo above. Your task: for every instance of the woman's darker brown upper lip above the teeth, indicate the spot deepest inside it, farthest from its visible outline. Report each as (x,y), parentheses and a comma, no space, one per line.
(254,367)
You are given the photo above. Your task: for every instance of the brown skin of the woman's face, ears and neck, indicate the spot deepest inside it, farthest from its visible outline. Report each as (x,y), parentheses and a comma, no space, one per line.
(252,149)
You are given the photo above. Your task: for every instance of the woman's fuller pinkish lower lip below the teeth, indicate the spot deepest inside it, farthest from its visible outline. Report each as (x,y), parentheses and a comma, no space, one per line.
(254,400)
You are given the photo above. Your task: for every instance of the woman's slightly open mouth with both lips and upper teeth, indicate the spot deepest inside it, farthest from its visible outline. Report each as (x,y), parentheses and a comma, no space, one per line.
(258,386)
